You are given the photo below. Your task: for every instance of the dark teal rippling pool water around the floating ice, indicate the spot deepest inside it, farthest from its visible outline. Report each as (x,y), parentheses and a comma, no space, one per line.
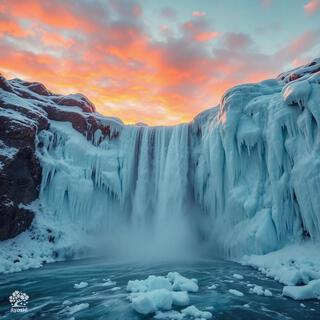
(53,284)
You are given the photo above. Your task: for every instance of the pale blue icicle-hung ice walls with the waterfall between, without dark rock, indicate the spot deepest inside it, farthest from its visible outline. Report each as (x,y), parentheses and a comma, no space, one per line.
(244,175)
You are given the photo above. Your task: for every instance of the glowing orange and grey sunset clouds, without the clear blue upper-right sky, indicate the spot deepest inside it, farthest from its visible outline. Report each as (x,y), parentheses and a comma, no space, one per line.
(108,52)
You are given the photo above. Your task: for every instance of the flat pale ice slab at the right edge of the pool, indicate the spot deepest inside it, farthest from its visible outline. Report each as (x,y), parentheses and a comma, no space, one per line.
(309,291)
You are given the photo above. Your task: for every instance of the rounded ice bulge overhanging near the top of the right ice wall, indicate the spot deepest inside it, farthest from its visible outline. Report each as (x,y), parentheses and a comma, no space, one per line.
(297,92)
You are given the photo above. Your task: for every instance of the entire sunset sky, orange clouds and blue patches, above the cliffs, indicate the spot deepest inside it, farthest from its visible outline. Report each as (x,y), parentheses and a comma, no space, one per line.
(157,62)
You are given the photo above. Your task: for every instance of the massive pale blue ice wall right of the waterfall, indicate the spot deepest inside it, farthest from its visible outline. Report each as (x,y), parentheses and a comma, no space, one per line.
(260,158)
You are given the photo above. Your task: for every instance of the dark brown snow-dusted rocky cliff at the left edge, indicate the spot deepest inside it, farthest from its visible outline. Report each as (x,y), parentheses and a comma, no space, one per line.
(25,109)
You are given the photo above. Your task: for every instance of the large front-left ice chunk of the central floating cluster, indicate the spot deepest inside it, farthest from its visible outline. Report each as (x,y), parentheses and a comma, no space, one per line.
(149,302)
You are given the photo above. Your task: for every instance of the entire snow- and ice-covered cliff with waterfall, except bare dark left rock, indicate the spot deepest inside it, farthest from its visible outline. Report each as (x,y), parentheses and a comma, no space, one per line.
(243,177)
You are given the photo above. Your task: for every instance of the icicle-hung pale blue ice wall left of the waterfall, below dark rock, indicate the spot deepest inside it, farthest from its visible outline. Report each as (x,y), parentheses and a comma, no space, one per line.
(80,180)
